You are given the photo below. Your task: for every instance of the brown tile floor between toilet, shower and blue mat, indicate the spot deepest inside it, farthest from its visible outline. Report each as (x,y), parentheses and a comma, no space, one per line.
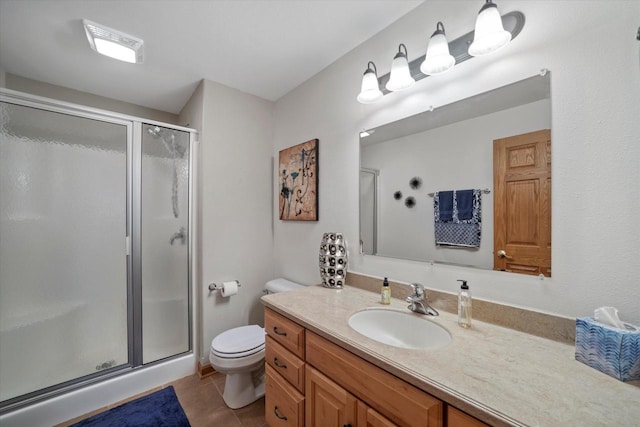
(202,402)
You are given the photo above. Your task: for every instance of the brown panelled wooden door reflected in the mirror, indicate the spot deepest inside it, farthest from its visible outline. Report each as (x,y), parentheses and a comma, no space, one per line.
(522,203)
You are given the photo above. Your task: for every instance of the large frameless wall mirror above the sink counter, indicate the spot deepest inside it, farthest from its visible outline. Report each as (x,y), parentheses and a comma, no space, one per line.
(415,173)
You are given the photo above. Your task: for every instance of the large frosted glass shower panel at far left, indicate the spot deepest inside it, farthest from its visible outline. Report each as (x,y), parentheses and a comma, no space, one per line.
(63,260)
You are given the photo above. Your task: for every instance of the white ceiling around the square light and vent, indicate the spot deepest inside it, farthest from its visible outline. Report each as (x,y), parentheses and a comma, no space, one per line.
(262,47)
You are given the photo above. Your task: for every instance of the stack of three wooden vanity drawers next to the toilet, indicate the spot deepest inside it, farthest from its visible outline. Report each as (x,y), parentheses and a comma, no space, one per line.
(284,371)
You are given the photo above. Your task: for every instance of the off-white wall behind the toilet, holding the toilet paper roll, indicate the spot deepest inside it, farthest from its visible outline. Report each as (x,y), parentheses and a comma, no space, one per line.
(235,204)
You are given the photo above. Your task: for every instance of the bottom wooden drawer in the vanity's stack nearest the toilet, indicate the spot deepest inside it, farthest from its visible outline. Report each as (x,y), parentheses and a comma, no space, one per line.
(284,405)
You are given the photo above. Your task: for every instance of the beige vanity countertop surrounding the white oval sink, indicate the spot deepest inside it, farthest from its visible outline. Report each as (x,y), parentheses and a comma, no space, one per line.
(500,376)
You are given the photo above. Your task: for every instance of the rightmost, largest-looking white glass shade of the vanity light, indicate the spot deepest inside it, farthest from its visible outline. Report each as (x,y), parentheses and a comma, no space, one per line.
(489,35)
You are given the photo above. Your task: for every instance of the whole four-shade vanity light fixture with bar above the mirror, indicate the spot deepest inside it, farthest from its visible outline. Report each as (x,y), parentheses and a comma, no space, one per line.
(492,32)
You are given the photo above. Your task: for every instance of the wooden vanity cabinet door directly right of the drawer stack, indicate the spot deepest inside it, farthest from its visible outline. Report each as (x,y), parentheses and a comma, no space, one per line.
(327,404)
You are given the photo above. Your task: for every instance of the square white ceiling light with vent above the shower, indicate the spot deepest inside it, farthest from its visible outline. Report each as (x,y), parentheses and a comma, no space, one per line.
(113,43)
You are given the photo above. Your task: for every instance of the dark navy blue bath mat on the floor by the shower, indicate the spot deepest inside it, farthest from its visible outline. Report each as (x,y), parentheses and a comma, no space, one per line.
(159,409)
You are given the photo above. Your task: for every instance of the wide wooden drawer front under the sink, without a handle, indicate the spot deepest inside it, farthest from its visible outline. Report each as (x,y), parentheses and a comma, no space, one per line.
(387,394)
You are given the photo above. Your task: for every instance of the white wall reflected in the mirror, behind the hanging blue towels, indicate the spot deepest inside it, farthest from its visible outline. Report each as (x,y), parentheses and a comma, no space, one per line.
(453,157)
